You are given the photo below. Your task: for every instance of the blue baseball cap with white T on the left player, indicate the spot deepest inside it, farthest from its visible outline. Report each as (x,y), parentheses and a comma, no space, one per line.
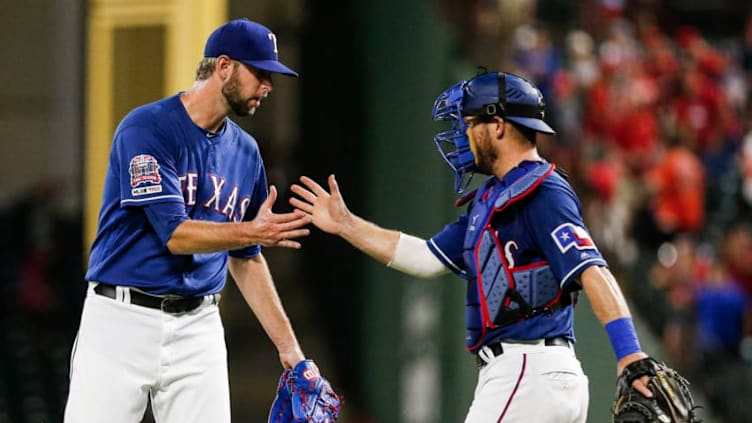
(248,42)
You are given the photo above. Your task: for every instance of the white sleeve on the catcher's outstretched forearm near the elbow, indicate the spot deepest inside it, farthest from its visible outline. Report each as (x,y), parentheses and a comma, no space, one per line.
(412,256)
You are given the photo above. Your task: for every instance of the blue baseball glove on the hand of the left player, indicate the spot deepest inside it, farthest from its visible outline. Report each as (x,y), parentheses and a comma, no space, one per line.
(303,395)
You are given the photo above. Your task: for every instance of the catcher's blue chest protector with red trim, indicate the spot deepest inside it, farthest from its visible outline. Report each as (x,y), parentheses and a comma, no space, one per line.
(498,295)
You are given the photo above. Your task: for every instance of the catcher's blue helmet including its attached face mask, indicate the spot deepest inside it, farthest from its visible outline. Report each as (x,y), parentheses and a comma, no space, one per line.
(509,96)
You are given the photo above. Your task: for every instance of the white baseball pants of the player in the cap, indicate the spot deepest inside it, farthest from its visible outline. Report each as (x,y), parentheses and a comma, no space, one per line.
(125,352)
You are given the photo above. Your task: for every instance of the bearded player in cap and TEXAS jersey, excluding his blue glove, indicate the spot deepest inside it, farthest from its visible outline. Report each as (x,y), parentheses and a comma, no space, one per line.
(185,199)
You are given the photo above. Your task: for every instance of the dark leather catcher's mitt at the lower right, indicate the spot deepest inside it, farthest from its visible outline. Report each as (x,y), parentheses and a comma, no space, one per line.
(672,400)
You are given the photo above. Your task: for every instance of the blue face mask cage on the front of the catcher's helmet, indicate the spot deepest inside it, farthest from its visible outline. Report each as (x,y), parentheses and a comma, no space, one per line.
(454,144)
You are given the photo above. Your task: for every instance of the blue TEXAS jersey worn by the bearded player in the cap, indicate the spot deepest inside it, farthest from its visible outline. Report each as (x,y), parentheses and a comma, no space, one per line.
(159,155)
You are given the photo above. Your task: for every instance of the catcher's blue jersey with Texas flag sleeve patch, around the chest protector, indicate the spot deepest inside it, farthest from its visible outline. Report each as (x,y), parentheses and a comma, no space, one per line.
(545,226)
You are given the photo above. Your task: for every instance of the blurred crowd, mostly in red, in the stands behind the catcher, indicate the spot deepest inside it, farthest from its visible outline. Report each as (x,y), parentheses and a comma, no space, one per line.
(655,128)
